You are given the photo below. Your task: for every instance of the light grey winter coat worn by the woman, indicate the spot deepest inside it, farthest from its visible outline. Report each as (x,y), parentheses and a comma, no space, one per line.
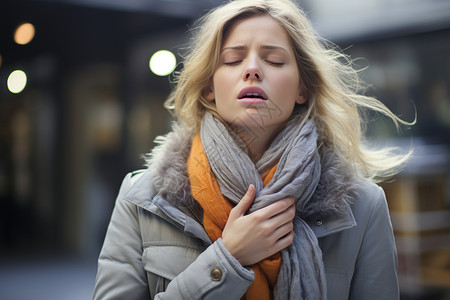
(156,248)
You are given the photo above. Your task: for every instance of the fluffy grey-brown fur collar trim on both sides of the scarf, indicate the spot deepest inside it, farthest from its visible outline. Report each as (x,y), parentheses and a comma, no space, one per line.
(167,162)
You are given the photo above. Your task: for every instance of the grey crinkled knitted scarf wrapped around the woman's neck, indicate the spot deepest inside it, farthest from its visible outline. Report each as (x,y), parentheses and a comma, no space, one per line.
(302,274)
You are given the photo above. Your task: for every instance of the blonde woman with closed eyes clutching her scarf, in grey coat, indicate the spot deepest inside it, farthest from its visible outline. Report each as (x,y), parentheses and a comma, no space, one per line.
(263,189)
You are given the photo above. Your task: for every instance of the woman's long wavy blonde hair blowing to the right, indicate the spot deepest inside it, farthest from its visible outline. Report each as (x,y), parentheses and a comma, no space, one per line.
(335,91)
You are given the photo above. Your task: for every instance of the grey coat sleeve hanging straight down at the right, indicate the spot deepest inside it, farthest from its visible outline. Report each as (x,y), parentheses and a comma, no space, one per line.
(375,275)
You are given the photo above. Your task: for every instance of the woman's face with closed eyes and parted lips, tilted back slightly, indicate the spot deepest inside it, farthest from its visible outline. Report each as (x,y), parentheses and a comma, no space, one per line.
(257,82)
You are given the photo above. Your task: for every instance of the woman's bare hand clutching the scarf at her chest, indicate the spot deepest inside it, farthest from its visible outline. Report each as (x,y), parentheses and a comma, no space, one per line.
(254,237)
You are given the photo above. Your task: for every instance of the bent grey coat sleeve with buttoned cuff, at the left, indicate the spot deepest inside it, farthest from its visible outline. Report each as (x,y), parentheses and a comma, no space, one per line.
(215,274)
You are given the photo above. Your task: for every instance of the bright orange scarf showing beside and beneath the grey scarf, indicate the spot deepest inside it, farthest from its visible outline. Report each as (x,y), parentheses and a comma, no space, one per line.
(217,208)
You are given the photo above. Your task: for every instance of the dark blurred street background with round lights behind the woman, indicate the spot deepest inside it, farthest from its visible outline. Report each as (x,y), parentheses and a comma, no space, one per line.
(80,103)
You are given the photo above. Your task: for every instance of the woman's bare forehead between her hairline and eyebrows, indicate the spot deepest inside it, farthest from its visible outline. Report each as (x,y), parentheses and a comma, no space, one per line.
(263,29)
